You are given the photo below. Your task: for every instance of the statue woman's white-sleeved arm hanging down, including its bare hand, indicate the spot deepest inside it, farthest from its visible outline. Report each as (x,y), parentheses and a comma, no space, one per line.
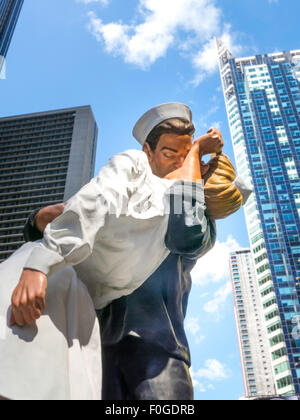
(69,239)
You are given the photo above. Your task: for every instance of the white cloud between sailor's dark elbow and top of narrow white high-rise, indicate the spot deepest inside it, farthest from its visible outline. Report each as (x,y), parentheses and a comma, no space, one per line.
(214,266)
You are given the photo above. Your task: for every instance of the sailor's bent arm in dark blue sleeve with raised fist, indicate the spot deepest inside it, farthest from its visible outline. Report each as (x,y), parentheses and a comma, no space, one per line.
(190,230)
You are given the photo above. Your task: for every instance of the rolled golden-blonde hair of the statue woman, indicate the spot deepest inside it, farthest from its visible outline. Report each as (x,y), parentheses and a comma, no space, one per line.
(222,197)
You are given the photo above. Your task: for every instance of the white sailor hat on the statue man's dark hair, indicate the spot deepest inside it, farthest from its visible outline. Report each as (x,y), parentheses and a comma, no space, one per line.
(157,115)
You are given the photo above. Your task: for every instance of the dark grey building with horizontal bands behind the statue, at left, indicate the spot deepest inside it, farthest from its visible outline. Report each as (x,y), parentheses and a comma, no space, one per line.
(45,159)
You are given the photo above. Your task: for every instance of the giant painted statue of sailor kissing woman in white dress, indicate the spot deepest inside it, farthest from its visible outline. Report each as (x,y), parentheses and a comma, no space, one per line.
(124,245)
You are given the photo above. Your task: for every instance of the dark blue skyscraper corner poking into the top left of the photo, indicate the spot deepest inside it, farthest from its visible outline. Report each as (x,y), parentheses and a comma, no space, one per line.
(9,14)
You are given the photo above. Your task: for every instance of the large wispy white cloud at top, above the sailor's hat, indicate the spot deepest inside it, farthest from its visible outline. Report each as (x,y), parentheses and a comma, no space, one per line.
(187,25)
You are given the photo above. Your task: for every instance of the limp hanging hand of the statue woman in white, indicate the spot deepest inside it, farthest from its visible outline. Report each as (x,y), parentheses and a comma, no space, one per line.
(29,298)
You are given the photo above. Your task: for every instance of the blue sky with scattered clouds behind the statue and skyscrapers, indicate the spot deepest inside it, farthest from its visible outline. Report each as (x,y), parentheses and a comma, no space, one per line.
(123,57)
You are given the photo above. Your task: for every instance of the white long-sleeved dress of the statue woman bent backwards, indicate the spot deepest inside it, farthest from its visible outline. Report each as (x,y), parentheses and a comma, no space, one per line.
(107,242)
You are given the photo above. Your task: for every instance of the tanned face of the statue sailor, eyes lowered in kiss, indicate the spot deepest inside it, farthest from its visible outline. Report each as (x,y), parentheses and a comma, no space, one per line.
(170,153)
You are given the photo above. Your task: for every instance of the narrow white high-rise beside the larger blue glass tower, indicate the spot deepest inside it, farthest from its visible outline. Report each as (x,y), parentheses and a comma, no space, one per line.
(252,335)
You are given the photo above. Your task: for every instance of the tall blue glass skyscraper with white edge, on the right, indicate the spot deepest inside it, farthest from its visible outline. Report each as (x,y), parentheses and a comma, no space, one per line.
(262,95)
